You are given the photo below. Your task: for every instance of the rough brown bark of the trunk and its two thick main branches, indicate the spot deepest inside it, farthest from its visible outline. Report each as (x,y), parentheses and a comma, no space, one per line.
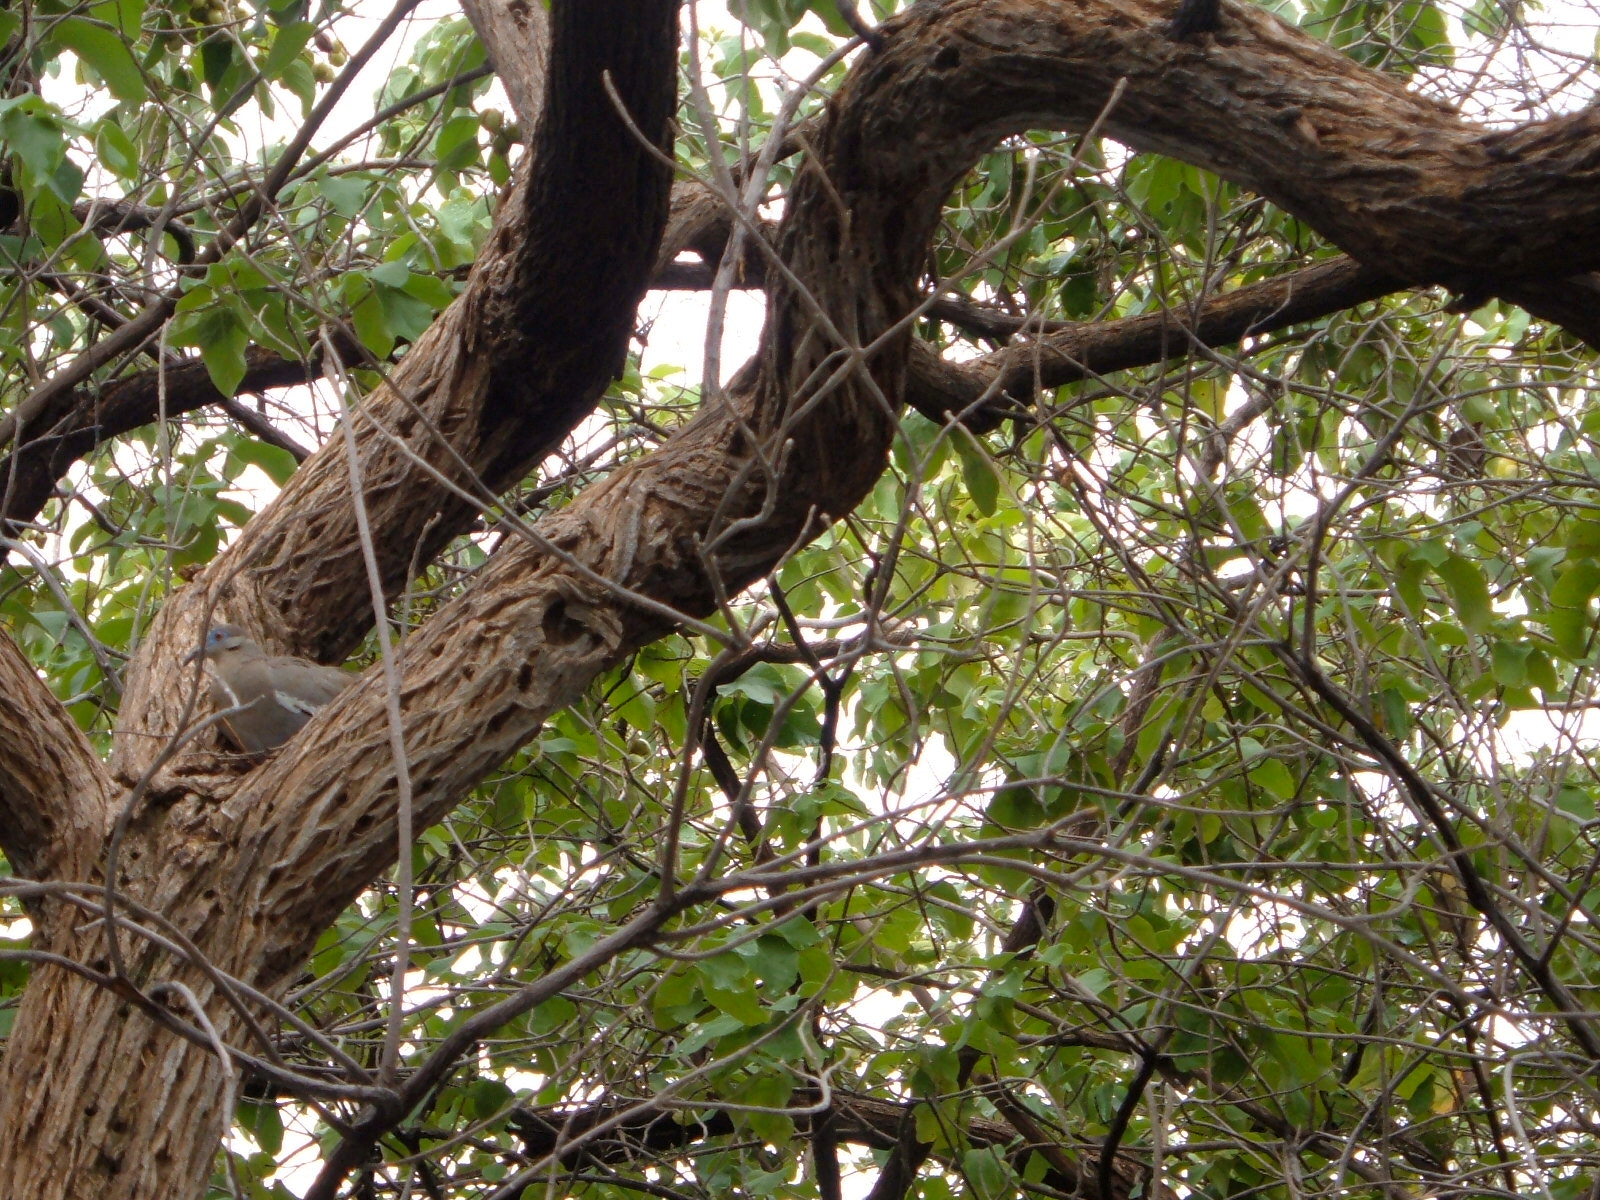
(129,1110)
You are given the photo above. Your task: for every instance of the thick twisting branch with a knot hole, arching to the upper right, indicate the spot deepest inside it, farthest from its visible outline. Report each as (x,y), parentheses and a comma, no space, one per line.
(721,503)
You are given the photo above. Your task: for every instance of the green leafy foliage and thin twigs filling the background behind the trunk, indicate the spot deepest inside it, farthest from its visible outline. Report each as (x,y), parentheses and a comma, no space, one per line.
(1106,793)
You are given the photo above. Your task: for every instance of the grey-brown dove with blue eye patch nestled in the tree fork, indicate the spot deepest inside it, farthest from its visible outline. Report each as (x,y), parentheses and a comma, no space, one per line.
(274,694)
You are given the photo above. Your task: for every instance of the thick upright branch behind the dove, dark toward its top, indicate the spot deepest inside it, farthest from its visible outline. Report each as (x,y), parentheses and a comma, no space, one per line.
(494,386)
